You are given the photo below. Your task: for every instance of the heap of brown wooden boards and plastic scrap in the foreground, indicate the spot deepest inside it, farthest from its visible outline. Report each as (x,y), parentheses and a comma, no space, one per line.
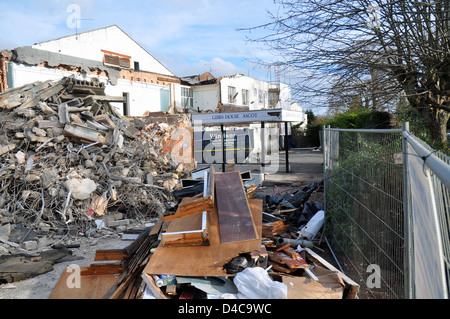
(222,244)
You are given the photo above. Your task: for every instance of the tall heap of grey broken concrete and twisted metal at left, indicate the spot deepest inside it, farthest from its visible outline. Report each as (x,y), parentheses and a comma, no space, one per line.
(68,158)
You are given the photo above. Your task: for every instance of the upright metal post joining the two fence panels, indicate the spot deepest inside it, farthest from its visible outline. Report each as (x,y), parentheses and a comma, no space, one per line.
(408,235)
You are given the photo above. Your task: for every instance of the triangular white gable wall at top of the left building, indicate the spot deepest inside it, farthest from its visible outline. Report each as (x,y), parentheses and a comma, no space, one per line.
(88,45)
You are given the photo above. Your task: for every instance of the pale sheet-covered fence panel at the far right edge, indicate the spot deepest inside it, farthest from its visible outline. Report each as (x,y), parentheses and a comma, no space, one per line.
(428,179)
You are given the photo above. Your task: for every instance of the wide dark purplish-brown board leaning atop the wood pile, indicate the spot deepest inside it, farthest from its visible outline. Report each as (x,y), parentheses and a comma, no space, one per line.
(235,220)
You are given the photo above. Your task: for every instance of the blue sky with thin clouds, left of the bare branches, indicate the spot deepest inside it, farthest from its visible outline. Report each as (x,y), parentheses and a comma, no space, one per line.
(188,36)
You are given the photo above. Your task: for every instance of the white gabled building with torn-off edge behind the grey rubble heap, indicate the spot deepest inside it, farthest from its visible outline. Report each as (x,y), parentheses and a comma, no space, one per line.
(107,54)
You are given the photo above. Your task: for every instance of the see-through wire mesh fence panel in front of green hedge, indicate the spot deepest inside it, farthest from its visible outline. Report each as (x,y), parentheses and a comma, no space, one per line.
(364,192)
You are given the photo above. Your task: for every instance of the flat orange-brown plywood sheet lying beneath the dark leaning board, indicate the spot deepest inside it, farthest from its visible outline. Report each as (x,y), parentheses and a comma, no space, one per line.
(205,260)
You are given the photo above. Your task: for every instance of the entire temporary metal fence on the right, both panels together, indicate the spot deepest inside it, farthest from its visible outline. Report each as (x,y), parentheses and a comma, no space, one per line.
(387,225)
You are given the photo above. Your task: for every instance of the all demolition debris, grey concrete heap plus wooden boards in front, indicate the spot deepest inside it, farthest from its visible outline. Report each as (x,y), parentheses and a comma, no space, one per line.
(70,165)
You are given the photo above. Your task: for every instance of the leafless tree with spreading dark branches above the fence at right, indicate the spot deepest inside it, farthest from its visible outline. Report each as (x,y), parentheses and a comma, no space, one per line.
(405,43)
